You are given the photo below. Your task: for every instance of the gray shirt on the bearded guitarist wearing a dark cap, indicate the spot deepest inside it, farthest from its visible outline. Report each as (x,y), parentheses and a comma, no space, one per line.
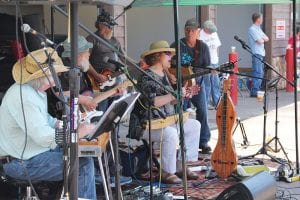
(100,51)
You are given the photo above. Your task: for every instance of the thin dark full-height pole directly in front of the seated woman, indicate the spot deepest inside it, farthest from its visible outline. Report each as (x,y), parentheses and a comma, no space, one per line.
(179,97)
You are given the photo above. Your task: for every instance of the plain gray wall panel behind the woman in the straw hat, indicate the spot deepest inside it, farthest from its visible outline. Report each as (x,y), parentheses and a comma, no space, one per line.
(146,25)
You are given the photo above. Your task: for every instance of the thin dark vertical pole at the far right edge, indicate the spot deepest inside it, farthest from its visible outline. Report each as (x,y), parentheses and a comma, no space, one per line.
(295,86)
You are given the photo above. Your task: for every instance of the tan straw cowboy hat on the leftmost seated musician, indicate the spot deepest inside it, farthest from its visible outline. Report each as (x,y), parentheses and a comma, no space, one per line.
(31,70)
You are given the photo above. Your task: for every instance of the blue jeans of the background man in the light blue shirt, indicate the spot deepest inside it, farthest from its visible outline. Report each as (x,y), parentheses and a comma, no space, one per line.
(258,71)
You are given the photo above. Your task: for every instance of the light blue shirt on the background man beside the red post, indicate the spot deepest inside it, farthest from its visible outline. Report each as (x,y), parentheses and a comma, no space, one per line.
(255,33)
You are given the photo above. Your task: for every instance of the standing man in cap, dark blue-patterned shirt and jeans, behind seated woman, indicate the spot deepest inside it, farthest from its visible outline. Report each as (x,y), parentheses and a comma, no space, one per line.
(196,53)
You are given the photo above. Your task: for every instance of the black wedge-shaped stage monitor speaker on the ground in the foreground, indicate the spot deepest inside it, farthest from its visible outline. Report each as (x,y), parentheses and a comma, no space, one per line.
(261,186)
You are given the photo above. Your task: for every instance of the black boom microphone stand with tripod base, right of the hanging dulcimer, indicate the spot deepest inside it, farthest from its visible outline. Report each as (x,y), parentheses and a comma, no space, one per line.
(263,150)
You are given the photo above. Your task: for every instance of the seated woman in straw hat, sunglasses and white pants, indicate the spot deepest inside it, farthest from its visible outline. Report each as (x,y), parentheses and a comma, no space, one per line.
(158,57)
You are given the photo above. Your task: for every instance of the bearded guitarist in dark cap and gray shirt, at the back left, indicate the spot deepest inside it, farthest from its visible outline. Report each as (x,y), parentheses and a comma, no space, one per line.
(100,51)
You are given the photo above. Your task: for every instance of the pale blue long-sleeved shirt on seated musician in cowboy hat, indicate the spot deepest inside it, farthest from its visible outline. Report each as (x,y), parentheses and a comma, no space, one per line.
(40,125)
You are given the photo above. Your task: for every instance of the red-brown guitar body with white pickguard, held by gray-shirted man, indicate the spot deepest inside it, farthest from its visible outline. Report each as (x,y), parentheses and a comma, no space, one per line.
(111,76)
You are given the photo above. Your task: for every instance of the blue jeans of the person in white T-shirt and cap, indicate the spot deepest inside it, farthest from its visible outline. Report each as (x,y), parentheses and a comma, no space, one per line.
(212,87)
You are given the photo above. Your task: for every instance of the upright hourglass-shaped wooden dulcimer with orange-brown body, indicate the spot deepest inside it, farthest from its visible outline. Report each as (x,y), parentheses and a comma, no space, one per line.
(224,157)
